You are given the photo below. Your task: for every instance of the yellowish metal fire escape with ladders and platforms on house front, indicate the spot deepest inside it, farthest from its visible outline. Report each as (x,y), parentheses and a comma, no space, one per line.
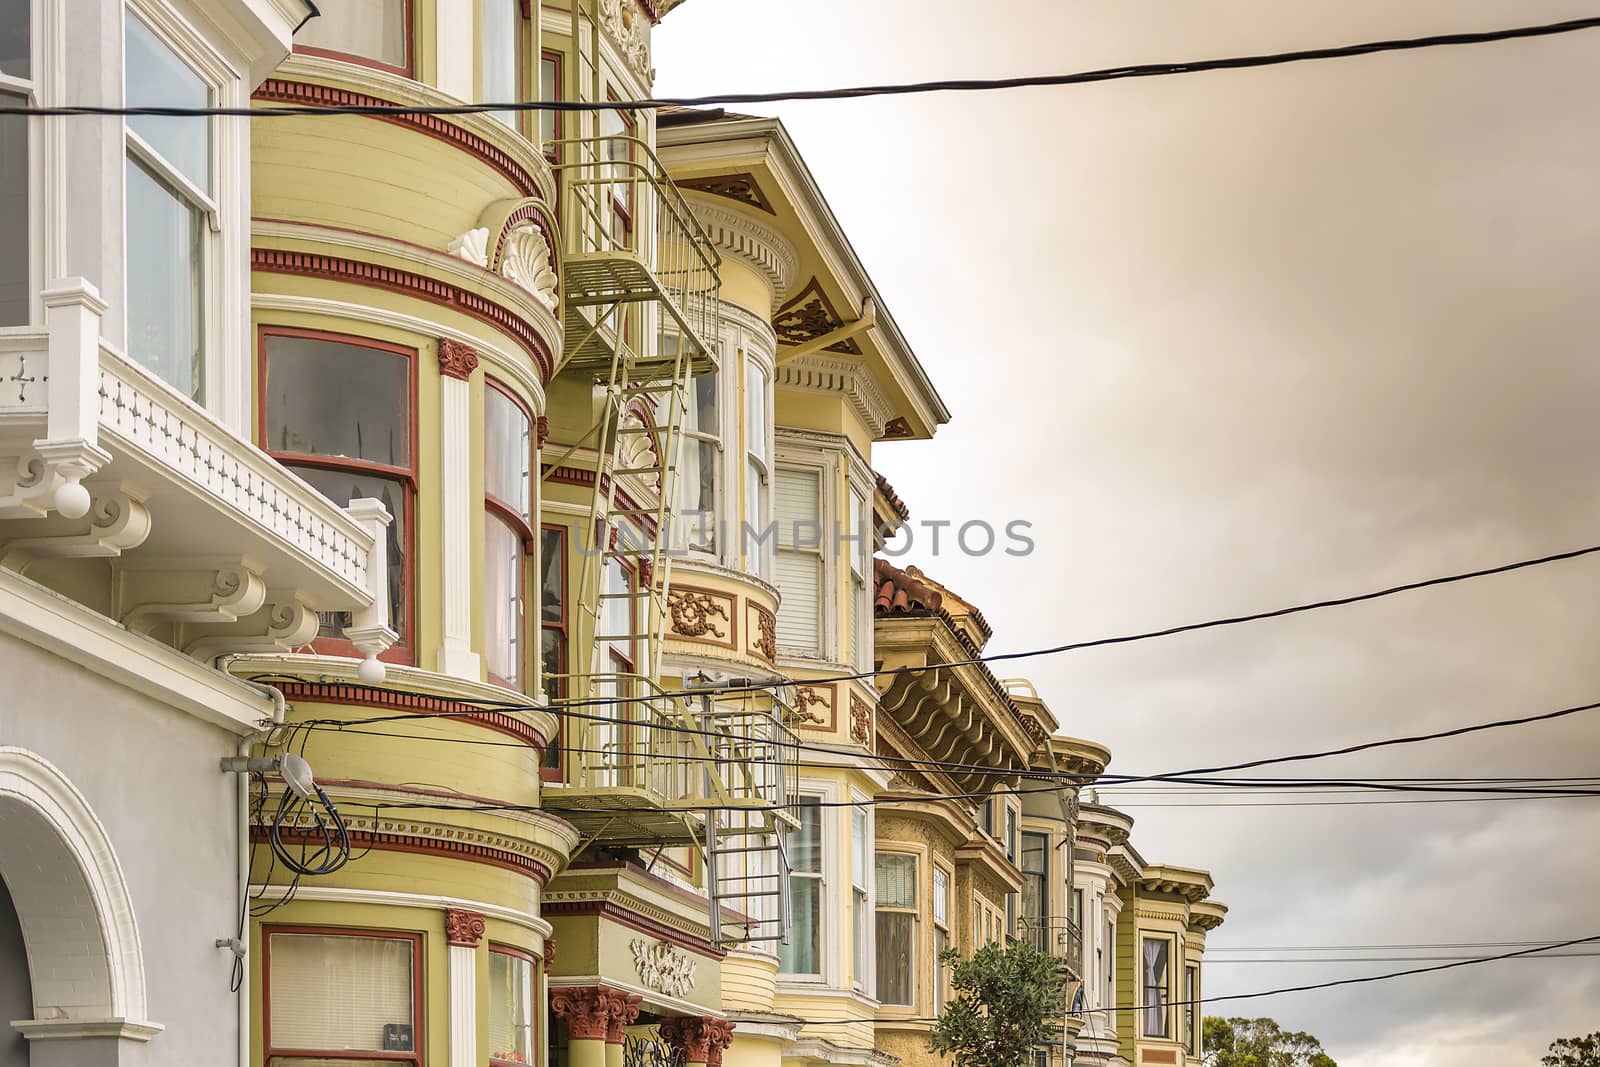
(649,767)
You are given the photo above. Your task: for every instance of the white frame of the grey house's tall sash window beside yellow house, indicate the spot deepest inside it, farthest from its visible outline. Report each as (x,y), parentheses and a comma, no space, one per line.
(226,207)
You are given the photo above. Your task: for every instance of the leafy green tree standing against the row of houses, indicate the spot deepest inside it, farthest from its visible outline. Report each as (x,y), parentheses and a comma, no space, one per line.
(1002,1005)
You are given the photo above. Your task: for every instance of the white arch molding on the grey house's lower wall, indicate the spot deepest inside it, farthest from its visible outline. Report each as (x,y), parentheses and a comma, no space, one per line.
(73,903)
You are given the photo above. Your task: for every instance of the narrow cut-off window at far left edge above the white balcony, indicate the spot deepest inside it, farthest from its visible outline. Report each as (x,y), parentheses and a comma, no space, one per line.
(17,71)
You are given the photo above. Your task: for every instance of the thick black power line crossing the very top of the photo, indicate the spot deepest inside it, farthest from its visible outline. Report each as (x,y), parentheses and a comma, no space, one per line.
(910,89)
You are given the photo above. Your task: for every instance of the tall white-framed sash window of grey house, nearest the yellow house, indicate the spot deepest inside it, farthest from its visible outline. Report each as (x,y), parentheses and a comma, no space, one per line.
(170,210)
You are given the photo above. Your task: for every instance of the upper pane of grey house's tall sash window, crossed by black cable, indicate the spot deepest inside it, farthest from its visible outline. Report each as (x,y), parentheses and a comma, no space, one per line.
(158,78)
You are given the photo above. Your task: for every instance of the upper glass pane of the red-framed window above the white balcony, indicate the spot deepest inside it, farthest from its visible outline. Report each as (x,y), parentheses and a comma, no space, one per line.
(334,399)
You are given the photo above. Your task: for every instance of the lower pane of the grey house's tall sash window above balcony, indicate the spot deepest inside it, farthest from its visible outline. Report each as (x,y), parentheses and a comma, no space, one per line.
(166,274)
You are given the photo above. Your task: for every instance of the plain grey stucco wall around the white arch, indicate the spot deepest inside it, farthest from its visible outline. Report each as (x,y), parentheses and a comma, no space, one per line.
(151,777)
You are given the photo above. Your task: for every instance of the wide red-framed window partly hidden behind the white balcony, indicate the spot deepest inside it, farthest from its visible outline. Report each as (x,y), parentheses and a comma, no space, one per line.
(338,412)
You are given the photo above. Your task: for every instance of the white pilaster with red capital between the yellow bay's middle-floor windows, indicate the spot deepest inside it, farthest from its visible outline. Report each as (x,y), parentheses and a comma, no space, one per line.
(457,364)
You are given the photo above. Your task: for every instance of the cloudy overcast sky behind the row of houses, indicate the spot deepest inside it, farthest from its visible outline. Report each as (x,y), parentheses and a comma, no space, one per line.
(1242,340)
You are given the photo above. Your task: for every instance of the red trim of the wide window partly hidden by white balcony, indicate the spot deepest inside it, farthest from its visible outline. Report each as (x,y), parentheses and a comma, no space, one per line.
(404,652)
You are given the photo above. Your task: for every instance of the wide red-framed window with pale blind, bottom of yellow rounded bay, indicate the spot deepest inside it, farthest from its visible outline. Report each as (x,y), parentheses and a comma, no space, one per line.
(342,999)
